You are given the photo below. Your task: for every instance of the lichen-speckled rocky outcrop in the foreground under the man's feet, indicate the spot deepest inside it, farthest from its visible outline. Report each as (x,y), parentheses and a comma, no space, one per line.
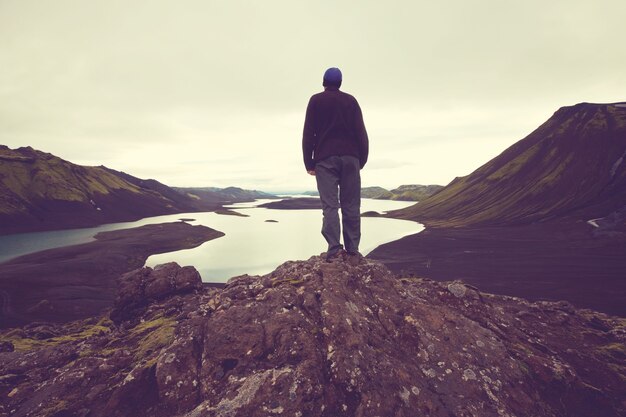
(318,339)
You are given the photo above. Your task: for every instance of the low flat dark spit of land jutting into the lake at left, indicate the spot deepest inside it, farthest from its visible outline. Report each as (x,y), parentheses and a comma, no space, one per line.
(79,281)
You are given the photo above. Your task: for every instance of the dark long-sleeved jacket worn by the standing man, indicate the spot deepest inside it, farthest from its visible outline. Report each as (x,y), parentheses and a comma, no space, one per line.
(333,126)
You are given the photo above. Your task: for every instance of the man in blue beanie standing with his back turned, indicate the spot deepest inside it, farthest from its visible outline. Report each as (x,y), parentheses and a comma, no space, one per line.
(335,148)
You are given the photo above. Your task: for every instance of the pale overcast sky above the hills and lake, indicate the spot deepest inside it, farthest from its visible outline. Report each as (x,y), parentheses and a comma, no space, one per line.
(213,93)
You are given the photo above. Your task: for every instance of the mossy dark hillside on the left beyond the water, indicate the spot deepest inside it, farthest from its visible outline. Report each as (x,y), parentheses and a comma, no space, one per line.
(39,191)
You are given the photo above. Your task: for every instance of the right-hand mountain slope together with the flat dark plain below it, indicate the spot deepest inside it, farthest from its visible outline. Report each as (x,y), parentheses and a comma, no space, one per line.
(544,220)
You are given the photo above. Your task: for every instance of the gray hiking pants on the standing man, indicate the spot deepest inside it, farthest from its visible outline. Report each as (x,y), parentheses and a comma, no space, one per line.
(339,184)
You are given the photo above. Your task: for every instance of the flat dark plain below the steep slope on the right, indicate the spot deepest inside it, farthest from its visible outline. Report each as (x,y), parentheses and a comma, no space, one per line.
(542,261)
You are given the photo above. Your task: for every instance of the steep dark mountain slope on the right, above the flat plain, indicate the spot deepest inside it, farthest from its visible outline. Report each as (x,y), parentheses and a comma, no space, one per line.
(572,166)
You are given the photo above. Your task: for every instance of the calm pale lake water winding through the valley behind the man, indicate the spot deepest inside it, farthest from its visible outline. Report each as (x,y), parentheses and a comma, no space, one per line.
(251,245)
